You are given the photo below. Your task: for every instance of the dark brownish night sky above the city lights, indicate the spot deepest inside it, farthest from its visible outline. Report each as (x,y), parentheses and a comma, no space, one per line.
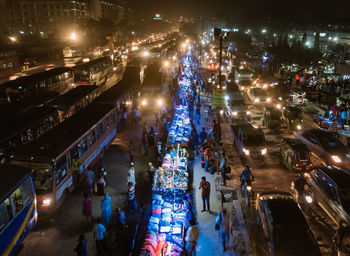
(306,9)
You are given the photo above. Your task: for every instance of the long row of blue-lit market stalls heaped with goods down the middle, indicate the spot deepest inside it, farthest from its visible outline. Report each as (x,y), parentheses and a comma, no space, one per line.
(171,206)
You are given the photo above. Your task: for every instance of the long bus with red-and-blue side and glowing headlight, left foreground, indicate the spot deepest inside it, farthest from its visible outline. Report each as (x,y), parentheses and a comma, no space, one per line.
(60,158)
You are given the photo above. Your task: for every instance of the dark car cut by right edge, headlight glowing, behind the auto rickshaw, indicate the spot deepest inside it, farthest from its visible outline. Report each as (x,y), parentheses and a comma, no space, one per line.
(326,147)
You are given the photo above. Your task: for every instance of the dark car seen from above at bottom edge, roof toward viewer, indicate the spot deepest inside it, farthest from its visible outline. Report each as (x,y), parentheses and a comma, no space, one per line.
(282,228)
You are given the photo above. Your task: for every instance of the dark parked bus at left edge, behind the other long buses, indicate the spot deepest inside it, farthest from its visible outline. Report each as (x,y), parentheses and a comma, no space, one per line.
(57,79)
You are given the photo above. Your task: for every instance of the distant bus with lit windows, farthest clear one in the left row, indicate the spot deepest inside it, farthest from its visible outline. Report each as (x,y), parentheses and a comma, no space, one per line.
(93,71)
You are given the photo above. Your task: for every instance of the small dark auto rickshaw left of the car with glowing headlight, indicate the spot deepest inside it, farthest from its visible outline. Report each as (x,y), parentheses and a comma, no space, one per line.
(295,155)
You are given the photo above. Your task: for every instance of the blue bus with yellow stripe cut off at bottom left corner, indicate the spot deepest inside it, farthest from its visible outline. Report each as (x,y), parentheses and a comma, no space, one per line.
(18,213)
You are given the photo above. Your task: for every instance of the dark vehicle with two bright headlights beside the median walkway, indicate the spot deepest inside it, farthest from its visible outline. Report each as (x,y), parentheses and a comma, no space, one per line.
(250,142)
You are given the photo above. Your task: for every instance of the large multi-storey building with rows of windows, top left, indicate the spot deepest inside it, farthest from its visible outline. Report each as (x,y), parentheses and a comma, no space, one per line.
(51,16)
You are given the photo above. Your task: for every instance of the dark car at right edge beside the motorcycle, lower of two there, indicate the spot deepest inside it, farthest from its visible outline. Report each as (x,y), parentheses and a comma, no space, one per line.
(330,188)
